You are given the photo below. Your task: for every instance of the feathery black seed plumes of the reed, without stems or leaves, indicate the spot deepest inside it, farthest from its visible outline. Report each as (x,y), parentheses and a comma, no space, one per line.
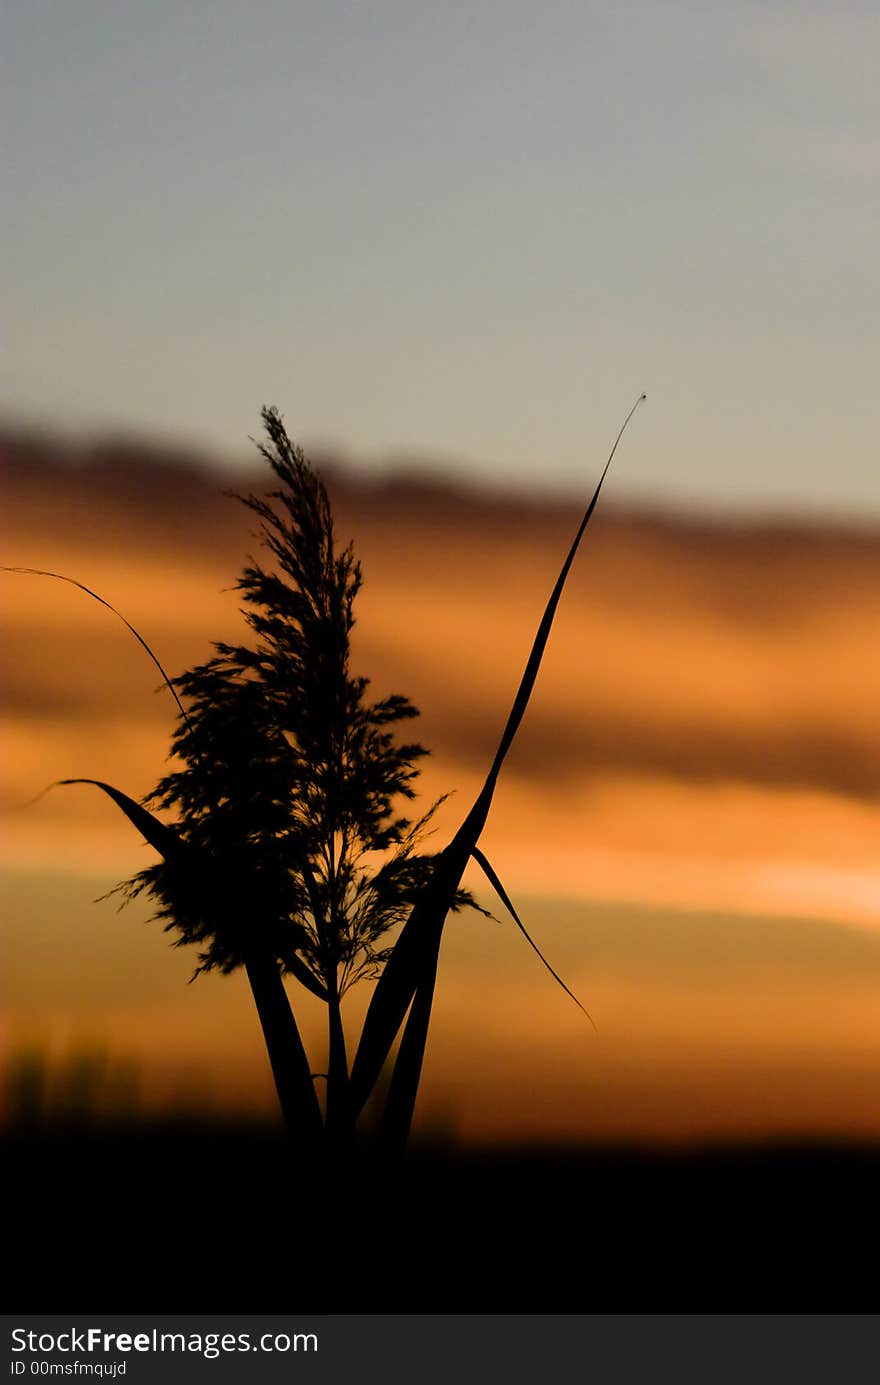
(290,780)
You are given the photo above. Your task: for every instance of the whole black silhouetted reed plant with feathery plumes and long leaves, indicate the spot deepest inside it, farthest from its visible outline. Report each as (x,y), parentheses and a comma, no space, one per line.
(289,851)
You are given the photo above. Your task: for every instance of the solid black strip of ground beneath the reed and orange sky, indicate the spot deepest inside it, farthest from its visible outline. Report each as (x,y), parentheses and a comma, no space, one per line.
(195,1218)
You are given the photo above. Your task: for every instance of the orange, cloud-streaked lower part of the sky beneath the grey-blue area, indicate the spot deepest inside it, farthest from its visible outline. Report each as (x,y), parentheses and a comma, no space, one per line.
(689,819)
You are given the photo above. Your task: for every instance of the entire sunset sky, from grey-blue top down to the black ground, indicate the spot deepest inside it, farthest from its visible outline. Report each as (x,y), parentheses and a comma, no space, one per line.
(452,244)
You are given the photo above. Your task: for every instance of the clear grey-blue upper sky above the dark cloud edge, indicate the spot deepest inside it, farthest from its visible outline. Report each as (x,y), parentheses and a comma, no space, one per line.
(468,233)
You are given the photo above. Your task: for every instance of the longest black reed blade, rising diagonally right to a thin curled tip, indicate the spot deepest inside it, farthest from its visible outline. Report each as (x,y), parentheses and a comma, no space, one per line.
(411,963)
